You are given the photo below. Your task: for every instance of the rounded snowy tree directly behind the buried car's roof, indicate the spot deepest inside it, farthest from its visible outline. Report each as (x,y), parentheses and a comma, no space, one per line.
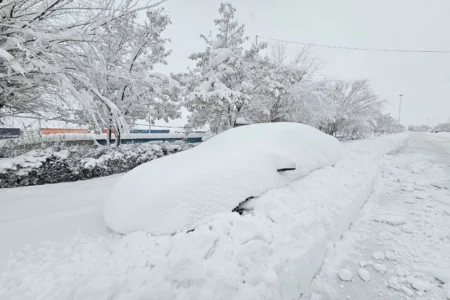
(286,90)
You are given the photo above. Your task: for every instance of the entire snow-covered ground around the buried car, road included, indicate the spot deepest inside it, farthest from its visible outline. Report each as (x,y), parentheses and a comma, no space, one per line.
(270,253)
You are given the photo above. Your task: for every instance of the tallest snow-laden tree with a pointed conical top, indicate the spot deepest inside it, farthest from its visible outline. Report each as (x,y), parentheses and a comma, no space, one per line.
(224,74)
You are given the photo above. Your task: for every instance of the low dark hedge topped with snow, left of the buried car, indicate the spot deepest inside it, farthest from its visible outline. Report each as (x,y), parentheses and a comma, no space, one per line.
(62,164)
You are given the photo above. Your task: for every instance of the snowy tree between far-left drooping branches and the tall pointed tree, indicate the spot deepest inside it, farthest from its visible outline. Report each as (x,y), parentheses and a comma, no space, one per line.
(129,51)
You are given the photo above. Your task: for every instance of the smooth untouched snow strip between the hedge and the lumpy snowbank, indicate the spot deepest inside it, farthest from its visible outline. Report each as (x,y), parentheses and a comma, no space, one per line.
(35,214)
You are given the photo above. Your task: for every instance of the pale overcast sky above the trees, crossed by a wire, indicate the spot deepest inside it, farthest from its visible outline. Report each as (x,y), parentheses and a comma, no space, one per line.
(423,79)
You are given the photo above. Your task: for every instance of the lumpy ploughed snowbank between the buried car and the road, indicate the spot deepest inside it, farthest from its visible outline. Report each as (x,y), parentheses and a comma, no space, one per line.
(271,252)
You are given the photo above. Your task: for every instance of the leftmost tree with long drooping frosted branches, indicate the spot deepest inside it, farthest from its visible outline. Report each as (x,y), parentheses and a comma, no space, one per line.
(48,53)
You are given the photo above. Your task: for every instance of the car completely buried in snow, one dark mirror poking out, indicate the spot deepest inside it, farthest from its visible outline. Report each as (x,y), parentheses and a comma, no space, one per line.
(176,192)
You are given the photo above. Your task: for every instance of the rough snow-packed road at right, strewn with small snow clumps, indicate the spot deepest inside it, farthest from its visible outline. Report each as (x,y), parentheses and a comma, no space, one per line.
(400,244)
